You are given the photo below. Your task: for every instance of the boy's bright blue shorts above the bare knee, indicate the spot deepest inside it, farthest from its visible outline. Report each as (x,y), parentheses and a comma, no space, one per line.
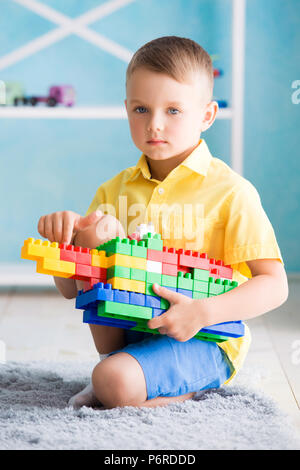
(173,368)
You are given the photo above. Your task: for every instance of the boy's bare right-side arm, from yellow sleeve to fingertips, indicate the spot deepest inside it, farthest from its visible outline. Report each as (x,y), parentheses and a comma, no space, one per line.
(268,289)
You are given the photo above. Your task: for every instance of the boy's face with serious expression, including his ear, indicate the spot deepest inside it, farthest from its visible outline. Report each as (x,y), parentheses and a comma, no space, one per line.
(166,117)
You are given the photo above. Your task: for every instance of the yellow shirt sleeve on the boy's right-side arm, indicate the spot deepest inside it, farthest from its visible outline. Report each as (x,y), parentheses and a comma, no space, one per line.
(249,234)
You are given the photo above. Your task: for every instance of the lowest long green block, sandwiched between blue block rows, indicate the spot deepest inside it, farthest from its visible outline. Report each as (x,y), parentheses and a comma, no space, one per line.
(122,309)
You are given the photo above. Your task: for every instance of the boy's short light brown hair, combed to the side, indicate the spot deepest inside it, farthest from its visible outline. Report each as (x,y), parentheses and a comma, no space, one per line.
(173,56)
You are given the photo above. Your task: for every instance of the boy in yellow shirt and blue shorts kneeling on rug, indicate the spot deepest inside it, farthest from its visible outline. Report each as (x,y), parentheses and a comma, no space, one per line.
(169,86)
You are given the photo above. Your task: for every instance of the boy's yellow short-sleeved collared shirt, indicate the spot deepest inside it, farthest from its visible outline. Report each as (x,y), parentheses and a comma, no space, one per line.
(202,205)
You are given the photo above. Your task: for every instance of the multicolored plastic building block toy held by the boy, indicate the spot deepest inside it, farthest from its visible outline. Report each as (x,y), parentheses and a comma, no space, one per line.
(118,277)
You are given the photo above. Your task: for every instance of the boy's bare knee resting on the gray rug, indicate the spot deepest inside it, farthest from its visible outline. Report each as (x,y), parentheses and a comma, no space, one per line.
(118,380)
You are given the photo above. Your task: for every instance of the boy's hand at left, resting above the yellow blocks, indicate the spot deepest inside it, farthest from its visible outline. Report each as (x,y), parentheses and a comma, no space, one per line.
(62,226)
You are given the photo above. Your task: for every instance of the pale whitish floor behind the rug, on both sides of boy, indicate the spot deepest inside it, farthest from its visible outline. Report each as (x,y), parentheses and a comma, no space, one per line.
(41,325)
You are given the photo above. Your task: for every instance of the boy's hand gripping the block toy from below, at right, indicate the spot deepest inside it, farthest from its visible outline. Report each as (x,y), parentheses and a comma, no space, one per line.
(183,319)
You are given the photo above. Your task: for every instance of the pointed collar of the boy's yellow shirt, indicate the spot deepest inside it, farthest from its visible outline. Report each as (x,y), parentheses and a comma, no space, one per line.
(198,161)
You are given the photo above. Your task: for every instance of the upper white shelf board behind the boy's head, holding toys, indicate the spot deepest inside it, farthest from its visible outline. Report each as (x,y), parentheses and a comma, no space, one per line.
(43,112)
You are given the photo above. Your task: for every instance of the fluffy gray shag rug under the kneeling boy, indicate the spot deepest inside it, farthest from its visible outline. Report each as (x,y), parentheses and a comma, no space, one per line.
(34,415)
